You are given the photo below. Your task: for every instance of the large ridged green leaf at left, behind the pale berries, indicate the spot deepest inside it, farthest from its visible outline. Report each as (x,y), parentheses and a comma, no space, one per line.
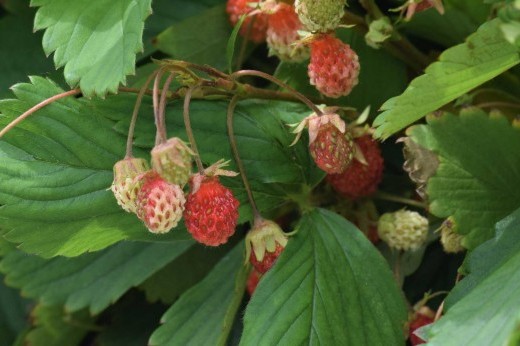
(56,168)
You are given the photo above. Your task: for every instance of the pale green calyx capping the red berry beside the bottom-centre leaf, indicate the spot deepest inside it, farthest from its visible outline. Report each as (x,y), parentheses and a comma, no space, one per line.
(263,238)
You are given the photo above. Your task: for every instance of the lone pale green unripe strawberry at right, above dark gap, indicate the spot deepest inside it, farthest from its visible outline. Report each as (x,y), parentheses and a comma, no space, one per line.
(403,229)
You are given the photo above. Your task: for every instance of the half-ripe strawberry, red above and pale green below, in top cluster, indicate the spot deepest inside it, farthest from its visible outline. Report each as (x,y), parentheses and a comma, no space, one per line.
(282,34)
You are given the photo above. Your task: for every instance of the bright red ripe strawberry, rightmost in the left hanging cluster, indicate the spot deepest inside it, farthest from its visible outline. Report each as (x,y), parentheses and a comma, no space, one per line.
(211,212)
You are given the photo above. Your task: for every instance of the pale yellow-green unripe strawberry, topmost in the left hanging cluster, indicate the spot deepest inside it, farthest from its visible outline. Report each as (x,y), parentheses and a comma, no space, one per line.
(172,160)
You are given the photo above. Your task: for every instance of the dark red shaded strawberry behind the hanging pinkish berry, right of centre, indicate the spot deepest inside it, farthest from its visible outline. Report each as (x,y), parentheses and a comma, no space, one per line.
(360,179)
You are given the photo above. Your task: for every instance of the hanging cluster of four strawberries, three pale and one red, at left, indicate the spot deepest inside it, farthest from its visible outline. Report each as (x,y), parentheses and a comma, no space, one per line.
(156,194)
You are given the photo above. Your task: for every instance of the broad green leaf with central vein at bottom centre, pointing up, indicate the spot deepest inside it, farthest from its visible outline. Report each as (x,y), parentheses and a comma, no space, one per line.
(329,287)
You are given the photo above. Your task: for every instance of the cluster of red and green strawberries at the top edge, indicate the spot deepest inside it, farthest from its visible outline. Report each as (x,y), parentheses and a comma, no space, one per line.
(333,68)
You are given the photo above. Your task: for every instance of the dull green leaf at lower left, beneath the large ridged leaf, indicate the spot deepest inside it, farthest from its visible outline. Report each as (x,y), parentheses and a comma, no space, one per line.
(92,281)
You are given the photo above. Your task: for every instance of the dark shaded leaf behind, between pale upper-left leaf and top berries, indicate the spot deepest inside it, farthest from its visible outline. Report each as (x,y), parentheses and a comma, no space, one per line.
(198,39)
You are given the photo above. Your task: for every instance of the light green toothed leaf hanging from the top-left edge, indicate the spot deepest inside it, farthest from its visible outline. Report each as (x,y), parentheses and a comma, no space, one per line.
(96,41)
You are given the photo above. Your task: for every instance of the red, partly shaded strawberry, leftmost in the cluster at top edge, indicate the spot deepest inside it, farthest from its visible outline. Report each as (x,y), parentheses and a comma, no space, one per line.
(254,27)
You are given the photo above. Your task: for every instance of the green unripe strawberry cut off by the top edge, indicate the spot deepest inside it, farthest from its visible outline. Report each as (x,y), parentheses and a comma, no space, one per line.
(320,15)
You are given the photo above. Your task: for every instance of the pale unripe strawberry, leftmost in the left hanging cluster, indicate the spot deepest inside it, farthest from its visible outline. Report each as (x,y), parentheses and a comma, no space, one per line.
(124,187)
